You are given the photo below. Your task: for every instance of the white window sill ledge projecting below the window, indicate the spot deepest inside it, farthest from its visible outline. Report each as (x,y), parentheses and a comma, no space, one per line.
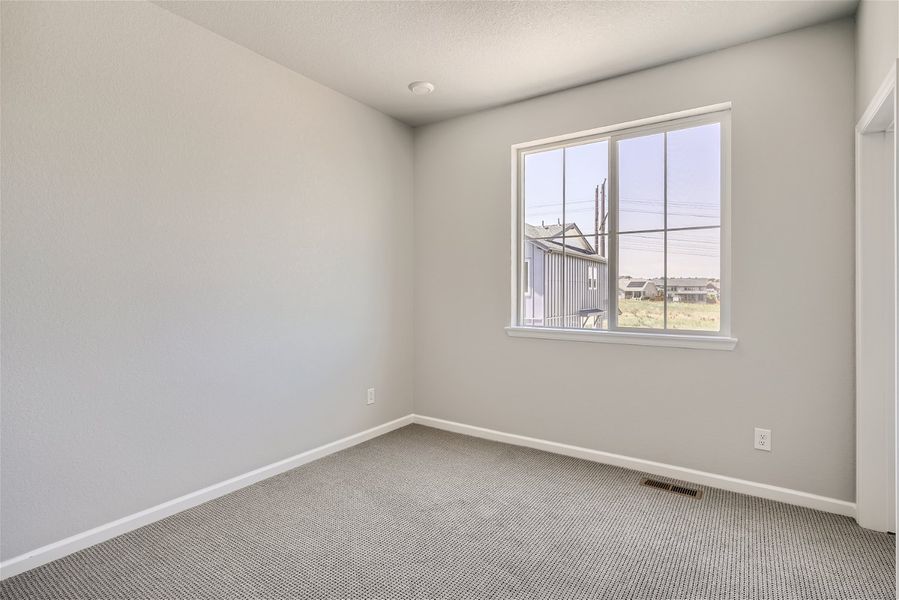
(696,342)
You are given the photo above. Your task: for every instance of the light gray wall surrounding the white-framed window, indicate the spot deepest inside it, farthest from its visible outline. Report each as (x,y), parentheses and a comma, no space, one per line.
(792,221)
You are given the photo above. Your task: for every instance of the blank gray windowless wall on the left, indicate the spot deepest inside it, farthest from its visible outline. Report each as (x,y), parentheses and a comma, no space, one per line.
(206,261)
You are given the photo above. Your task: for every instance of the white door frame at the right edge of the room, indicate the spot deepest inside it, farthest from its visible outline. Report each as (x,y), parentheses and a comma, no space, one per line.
(876,277)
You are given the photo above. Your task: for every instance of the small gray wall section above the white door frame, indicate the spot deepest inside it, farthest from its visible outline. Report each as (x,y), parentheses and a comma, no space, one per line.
(877,47)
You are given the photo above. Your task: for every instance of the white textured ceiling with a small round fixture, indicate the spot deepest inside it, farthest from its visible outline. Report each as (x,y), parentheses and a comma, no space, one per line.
(481,54)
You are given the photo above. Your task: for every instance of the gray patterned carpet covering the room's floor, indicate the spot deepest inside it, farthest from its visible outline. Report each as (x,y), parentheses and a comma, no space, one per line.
(420,513)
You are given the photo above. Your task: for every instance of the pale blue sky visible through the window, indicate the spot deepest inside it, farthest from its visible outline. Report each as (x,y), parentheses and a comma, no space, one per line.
(694,183)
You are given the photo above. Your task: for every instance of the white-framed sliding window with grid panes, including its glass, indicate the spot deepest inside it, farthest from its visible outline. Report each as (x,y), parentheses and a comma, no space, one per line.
(640,205)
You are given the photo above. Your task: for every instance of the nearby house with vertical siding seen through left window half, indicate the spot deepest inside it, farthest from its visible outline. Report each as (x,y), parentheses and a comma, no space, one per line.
(554,254)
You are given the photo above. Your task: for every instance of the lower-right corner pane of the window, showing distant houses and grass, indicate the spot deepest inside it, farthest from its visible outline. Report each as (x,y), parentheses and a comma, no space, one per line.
(694,279)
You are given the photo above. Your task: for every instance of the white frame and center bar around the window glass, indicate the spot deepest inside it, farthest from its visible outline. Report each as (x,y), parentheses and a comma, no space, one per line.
(716,113)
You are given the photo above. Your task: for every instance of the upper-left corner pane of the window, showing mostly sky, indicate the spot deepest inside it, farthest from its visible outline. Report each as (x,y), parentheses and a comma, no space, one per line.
(543,193)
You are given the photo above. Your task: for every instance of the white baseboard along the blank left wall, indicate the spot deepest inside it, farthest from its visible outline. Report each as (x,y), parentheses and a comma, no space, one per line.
(50,552)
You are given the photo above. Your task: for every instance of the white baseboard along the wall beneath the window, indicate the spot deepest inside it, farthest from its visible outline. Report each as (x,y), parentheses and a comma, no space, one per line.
(732,484)
